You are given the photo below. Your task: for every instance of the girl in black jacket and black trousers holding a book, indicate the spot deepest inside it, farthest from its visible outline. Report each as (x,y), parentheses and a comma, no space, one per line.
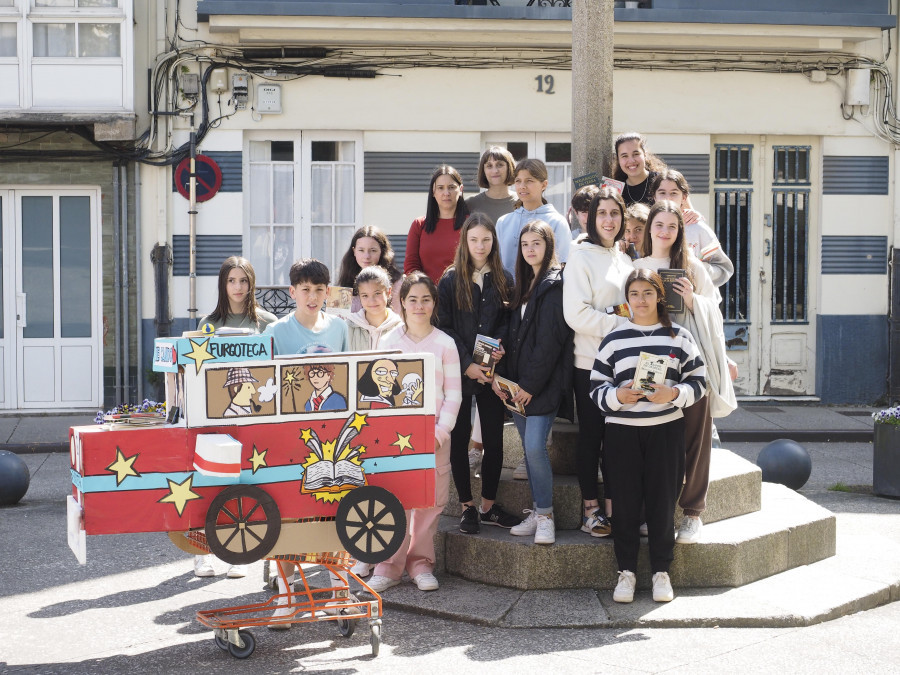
(472,299)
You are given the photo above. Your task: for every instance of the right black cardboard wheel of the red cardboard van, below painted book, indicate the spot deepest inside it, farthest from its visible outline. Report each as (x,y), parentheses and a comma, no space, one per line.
(371,523)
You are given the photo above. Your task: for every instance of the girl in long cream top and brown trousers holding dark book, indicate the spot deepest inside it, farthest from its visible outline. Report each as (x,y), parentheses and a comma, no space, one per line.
(665,246)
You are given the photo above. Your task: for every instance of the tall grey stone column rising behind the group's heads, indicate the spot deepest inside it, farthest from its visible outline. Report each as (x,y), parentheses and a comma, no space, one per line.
(592,86)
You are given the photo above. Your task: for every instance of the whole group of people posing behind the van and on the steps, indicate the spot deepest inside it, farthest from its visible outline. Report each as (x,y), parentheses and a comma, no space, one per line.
(553,291)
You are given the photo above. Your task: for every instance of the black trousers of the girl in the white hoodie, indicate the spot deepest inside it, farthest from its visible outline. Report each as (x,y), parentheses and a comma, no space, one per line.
(591,427)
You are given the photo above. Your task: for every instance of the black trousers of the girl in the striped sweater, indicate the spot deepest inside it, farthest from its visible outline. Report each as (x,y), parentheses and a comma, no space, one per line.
(646,464)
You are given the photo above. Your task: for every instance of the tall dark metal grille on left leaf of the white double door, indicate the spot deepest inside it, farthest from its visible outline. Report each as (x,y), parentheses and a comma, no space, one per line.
(732,224)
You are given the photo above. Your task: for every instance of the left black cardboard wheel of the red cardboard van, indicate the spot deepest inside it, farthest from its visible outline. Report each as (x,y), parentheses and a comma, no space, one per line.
(242,524)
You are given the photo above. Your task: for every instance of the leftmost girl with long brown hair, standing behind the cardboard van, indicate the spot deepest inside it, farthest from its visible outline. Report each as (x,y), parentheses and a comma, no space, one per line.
(236,308)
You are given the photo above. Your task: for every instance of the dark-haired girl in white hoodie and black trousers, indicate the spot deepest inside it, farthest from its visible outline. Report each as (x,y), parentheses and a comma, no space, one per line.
(595,282)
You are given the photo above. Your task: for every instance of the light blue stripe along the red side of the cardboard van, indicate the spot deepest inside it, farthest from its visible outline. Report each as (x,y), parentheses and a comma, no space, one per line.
(264,476)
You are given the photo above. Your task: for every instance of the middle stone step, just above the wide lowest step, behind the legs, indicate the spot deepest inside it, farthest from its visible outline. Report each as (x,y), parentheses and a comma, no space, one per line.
(734,490)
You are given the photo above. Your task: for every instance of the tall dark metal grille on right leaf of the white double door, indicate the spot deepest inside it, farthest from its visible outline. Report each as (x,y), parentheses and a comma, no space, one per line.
(790,221)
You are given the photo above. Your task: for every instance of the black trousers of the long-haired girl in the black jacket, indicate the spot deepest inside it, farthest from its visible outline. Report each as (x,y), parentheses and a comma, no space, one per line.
(490,412)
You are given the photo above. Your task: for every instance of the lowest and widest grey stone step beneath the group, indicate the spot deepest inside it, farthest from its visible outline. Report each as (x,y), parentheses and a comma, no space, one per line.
(787,531)
